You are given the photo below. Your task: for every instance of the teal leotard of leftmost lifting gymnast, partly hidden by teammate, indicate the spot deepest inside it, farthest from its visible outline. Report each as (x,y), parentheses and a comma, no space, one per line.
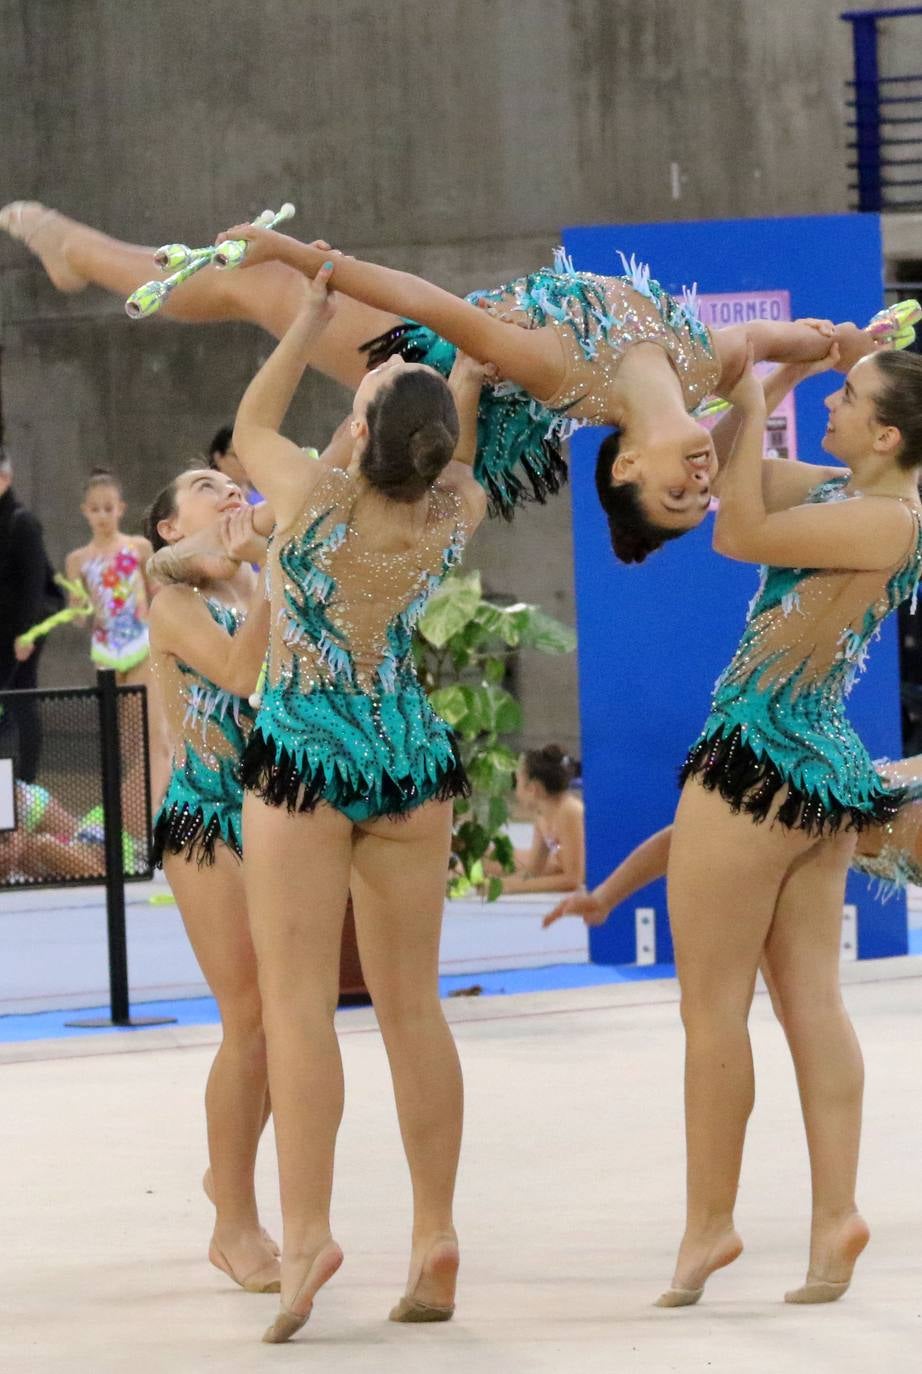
(210,729)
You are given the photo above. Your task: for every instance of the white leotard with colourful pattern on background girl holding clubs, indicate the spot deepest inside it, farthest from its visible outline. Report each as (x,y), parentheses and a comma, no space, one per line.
(117,592)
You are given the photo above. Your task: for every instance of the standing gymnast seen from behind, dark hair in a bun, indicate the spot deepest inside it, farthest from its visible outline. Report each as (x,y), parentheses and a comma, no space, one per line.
(350,780)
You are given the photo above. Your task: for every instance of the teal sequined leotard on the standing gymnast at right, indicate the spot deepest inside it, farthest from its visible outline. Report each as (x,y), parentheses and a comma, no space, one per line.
(777,722)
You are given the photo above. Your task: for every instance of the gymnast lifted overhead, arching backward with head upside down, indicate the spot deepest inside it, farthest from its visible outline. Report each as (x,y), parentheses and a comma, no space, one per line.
(572,348)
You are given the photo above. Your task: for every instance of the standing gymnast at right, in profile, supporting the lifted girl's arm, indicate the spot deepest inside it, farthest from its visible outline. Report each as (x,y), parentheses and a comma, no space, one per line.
(776,789)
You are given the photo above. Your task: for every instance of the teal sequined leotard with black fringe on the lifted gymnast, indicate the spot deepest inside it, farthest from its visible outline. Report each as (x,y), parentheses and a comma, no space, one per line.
(597,319)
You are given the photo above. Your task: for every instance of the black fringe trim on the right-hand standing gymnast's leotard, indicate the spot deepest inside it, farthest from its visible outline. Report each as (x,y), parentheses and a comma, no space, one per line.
(751,785)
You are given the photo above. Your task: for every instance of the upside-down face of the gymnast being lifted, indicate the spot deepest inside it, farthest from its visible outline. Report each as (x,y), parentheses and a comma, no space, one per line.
(674,476)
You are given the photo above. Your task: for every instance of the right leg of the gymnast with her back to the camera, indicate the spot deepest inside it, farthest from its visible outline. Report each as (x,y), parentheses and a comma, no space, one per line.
(399,894)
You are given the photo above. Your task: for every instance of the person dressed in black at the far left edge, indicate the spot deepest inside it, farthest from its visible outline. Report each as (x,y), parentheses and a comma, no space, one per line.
(28,594)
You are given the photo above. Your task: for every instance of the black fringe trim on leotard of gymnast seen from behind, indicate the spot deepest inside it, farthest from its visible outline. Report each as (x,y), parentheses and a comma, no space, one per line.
(281,782)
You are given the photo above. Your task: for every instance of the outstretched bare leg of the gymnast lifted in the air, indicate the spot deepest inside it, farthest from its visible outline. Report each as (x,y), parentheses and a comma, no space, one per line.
(76,255)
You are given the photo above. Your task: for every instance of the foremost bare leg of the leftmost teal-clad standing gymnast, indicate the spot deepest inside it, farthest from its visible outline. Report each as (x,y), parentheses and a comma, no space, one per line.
(214,909)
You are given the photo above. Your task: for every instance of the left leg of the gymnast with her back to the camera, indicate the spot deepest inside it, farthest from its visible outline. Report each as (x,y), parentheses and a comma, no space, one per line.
(297,883)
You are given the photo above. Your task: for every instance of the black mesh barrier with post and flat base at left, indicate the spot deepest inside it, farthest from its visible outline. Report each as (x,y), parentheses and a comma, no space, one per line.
(82,815)
